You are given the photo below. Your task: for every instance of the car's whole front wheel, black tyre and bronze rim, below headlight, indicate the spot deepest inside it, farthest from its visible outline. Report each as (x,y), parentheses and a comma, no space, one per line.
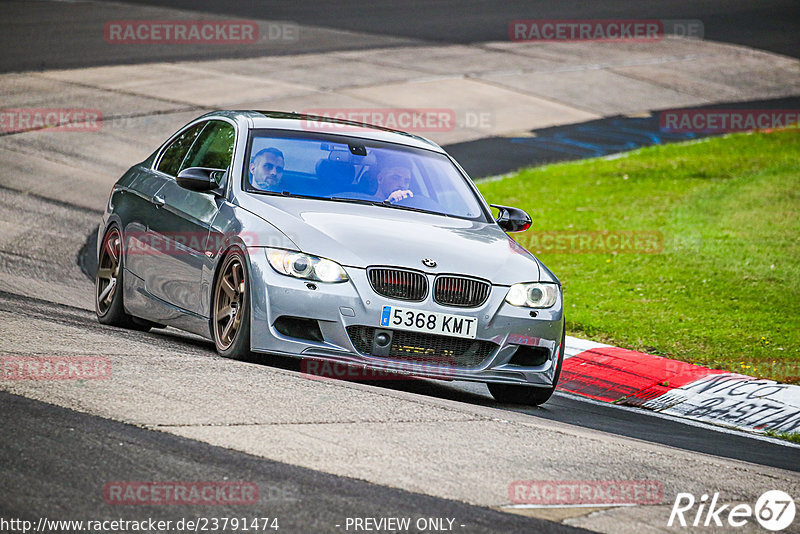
(230,321)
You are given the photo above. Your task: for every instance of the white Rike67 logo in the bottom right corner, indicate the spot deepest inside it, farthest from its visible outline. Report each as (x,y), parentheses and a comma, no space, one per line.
(774,510)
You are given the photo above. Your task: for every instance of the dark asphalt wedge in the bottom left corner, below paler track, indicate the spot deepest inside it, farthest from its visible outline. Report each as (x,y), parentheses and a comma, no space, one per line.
(54,459)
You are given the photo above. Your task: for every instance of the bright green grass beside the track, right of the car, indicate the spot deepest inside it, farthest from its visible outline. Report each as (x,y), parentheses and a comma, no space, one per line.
(725,290)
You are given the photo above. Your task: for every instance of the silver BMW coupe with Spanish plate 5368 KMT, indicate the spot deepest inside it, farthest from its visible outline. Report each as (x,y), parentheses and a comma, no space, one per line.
(330,241)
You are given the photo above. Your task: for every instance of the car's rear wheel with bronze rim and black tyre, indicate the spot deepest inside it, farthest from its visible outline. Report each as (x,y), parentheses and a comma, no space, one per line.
(108,299)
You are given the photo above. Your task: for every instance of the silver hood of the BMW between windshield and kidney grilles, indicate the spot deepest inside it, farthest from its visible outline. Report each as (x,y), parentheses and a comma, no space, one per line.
(358,235)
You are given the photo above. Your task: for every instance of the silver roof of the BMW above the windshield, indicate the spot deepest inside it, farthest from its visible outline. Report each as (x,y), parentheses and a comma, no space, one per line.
(282,120)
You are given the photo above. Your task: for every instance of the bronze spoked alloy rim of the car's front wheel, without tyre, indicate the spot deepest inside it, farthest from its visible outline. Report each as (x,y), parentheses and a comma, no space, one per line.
(229,302)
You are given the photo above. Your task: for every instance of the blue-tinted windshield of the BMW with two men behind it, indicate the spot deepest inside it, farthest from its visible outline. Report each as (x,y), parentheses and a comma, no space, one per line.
(339,168)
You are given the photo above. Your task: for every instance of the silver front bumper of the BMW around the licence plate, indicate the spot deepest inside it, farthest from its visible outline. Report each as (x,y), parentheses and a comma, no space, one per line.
(336,307)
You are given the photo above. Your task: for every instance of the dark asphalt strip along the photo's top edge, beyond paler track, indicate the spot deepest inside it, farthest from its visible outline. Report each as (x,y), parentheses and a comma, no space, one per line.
(41,40)
